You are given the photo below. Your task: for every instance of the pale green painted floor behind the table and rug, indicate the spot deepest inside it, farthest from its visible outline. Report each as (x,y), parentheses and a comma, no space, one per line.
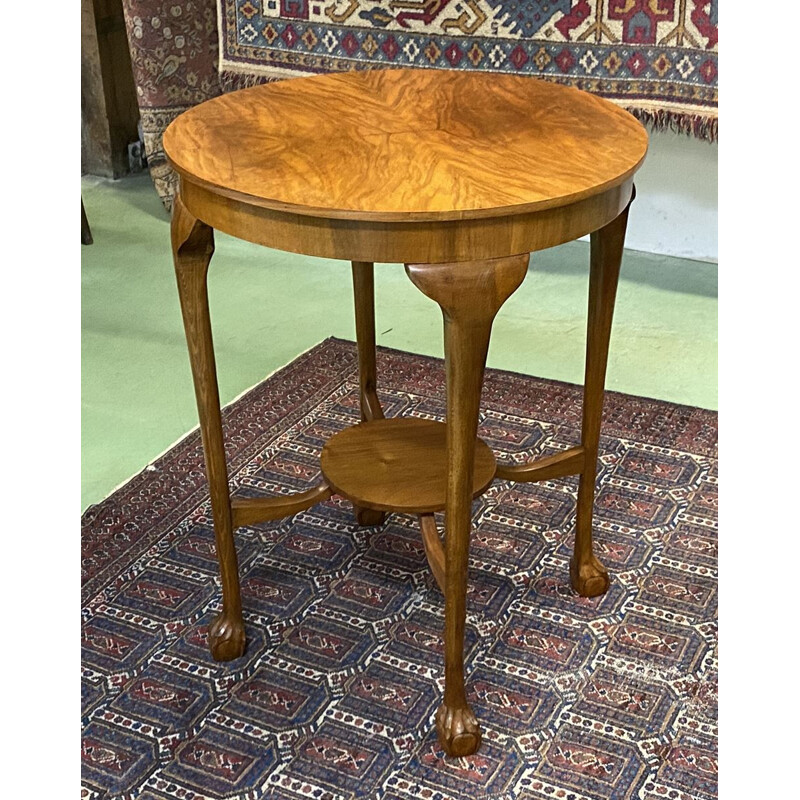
(268,306)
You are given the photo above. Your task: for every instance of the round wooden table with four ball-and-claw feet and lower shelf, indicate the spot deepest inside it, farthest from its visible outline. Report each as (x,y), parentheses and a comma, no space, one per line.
(459,176)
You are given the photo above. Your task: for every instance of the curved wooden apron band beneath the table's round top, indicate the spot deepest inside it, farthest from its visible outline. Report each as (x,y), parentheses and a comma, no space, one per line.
(405,242)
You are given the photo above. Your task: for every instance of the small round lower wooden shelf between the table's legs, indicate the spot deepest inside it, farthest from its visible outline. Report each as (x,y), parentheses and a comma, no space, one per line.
(397,465)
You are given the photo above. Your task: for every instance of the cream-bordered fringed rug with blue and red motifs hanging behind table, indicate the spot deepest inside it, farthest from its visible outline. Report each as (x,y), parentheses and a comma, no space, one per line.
(657,58)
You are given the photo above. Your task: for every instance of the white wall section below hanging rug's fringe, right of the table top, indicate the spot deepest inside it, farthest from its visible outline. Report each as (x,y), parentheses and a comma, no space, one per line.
(675,211)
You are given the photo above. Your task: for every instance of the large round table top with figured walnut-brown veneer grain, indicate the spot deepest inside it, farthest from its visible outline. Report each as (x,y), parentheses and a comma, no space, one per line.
(409,144)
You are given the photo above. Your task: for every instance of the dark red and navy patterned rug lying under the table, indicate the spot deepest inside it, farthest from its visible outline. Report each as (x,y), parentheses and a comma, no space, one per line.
(613,697)
